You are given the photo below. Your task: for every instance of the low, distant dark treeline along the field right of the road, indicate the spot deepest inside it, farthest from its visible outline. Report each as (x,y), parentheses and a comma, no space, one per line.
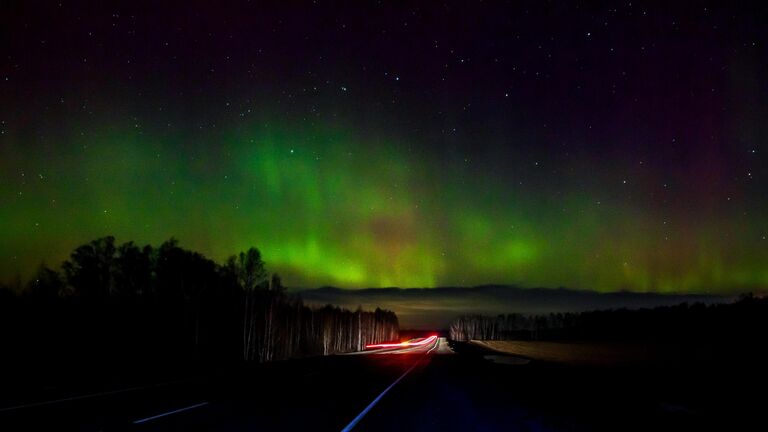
(745,319)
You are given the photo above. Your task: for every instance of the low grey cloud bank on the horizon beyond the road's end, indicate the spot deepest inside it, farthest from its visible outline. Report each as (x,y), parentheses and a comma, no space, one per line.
(431,308)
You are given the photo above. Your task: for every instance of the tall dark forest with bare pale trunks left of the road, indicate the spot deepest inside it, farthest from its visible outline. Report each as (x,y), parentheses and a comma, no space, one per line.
(144,304)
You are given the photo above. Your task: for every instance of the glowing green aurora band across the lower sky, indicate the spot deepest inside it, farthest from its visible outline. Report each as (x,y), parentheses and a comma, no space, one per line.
(328,206)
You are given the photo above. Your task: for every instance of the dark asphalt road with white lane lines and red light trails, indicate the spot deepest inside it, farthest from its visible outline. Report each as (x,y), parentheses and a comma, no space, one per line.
(432,386)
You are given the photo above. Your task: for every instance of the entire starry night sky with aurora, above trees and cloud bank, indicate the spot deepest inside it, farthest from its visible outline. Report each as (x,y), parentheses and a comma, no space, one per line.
(605,146)
